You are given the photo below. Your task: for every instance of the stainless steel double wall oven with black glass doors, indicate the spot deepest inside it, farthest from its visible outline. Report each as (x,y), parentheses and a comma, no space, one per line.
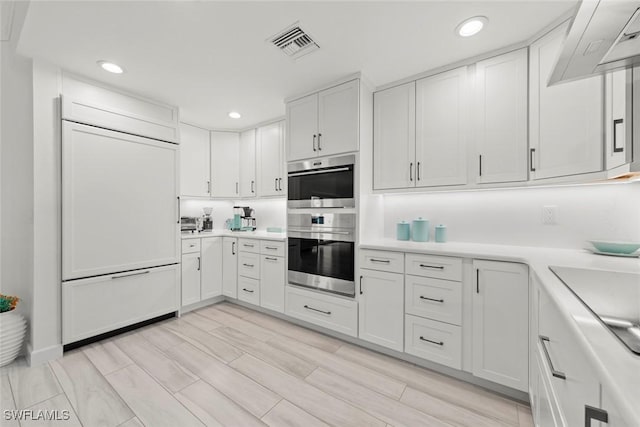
(322,224)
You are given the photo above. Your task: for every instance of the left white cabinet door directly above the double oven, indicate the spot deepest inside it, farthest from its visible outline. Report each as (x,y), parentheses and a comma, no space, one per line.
(302,128)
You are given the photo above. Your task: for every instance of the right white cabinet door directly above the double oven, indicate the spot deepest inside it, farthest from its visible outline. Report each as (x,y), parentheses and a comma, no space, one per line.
(338,119)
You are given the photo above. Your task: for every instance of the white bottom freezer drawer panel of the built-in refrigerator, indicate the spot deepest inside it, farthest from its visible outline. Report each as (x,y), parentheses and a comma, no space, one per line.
(105,303)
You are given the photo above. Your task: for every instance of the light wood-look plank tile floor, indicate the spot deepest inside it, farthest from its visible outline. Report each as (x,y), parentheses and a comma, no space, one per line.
(226,365)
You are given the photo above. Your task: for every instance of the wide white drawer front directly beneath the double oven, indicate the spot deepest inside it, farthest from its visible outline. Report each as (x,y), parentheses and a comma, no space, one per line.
(330,312)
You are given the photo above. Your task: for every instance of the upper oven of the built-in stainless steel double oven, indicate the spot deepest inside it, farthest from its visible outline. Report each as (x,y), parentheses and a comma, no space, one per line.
(322,183)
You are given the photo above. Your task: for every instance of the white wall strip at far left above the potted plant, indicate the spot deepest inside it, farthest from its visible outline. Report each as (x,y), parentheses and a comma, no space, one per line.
(16,173)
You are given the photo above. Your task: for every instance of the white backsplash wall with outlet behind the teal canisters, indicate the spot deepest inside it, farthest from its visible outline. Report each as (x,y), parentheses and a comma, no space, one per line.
(514,216)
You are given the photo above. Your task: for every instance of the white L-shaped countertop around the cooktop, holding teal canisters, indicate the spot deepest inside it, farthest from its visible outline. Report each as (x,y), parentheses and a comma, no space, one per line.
(616,367)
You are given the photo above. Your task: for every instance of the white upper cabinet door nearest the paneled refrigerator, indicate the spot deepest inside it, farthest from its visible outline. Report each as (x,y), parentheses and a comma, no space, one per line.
(194,161)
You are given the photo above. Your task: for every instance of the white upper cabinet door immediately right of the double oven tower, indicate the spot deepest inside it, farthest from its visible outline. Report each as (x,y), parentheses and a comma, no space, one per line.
(394,137)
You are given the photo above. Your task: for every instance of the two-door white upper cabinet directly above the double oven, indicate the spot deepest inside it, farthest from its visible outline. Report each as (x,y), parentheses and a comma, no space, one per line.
(324,123)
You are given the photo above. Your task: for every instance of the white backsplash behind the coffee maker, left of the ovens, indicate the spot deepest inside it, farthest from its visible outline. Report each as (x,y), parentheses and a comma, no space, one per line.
(269,212)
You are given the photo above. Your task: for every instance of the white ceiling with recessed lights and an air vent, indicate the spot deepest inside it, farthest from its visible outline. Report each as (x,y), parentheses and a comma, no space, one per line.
(211,57)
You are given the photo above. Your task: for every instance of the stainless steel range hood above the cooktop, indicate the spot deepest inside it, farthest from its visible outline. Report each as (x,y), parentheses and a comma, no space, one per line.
(604,35)
